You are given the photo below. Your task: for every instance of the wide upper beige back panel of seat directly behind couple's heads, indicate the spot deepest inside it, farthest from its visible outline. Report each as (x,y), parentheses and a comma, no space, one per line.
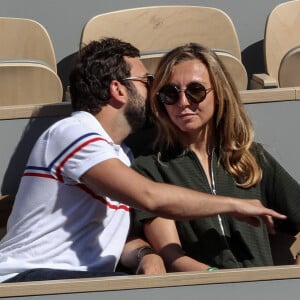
(160,28)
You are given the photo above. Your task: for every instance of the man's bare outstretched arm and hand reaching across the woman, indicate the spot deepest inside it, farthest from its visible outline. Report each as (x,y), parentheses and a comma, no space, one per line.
(117,181)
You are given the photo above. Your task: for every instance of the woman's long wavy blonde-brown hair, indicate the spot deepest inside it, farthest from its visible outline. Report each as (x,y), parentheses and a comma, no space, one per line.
(233,128)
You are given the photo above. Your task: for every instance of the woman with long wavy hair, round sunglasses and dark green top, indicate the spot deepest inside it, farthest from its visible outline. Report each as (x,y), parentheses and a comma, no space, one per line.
(205,142)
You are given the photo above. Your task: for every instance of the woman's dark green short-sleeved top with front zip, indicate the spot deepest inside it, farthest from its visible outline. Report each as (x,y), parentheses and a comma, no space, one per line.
(243,245)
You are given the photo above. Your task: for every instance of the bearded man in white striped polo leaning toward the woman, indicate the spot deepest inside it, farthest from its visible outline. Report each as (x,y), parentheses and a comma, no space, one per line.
(71,213)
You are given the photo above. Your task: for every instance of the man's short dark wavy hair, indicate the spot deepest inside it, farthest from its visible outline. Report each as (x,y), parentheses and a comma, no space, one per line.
(99,63)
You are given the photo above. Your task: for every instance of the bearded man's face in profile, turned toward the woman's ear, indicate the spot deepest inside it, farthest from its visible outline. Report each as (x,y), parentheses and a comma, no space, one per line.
(135,111)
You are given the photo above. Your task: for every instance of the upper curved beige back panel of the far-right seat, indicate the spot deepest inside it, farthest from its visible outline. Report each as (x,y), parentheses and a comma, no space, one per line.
(281,35)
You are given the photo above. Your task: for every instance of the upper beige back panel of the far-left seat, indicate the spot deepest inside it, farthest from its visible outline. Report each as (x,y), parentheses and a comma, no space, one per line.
(26,39)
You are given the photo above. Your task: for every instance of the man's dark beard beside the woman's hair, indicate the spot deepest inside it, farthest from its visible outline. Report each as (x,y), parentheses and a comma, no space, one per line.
(135,111)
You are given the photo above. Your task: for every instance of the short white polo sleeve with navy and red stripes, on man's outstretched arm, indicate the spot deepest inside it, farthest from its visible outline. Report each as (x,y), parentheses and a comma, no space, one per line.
(73,150)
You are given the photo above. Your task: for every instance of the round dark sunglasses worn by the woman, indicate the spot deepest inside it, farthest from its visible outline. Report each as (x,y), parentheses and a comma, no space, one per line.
(195,93)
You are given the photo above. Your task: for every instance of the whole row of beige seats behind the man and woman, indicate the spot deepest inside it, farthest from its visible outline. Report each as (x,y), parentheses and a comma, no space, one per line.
(28,71)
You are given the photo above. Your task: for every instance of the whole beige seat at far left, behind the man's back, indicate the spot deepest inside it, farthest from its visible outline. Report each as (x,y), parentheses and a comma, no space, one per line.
(28,70)
